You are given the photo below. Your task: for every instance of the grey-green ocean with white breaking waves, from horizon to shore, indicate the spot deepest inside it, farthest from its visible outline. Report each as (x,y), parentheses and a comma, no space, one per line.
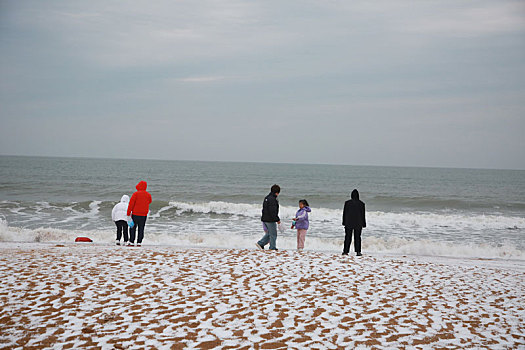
(423,211)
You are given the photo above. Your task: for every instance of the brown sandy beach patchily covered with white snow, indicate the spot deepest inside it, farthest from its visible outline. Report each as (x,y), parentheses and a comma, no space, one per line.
(88,296)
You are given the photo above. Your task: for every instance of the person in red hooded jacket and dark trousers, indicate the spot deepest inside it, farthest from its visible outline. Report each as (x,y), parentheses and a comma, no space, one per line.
(138,208)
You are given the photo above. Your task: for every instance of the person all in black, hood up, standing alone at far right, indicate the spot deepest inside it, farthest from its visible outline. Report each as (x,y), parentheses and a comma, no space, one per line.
(353,221)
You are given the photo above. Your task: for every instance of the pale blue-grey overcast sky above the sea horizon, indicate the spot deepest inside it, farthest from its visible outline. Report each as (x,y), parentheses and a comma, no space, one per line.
(401,83)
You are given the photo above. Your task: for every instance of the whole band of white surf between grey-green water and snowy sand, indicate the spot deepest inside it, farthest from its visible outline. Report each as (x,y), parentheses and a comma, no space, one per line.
(237,226)
